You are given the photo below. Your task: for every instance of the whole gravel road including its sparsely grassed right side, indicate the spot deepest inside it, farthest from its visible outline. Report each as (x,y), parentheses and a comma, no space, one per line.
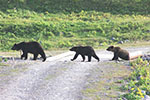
(61,79)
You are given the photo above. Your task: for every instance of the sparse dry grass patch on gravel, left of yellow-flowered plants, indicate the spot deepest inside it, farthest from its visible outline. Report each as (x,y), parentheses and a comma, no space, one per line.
(107,84)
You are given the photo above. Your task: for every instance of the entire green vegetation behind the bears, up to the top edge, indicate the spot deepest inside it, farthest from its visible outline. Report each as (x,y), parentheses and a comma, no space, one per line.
(62,24)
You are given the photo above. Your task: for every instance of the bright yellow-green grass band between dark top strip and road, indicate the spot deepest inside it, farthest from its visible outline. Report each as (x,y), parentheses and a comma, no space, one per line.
(62,30)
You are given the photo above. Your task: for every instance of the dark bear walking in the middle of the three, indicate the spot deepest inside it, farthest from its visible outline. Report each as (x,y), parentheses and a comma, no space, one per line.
(84,51)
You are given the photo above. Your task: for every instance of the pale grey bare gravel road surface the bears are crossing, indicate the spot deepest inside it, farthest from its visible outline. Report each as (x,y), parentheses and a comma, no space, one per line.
(56,79)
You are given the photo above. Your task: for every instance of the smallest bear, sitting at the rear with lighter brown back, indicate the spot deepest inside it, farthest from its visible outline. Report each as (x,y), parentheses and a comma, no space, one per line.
(118,52)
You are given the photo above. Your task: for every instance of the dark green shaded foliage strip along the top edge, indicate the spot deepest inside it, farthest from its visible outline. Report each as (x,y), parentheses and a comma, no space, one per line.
(68,6)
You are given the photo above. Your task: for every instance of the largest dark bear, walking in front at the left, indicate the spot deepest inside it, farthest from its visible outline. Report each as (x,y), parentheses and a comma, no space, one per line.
(30,47)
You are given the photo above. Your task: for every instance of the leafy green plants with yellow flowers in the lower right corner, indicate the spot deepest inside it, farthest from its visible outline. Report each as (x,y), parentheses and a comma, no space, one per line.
(139,80)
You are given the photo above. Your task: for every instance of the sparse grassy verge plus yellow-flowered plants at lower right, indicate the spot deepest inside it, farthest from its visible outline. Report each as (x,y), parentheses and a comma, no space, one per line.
(119,82)
